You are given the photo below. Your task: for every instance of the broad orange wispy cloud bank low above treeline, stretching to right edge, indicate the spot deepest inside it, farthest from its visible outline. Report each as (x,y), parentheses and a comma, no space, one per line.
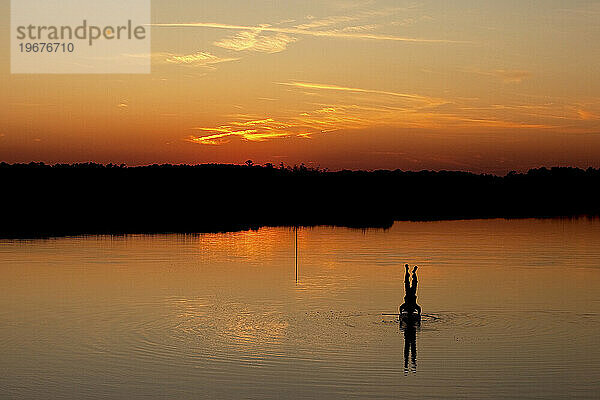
(374,109)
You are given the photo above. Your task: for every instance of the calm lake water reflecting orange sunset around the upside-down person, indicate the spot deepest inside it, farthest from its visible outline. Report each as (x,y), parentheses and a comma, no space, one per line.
(513,311)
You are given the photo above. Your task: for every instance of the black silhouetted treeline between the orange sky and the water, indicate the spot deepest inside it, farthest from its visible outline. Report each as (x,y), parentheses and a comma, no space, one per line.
(64,199)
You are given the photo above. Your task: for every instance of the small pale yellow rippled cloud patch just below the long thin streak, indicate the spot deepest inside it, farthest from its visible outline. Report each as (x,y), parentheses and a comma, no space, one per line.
(254,41)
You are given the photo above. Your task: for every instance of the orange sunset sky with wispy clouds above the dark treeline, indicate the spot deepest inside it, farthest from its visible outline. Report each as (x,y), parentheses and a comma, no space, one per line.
(468,85)
